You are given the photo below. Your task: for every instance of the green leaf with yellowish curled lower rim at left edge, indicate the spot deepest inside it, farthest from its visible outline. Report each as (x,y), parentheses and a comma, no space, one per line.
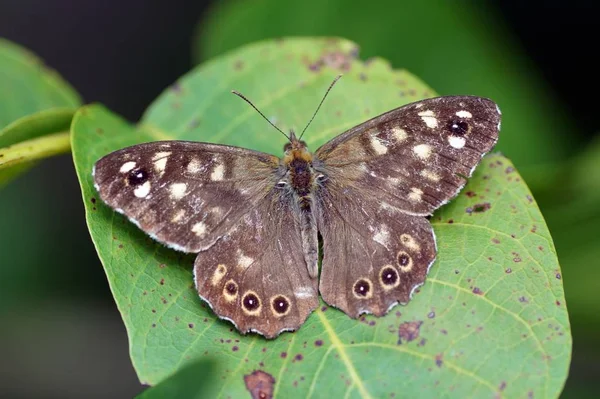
(34,101)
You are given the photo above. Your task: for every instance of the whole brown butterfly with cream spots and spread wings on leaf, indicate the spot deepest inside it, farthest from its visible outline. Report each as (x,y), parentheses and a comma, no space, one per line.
(261,224)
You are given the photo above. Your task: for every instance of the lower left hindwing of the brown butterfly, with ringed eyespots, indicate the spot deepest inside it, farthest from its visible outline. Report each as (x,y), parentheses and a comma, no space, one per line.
(256,276)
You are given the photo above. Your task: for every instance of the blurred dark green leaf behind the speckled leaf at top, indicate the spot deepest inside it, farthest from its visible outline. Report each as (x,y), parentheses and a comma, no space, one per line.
(457,48)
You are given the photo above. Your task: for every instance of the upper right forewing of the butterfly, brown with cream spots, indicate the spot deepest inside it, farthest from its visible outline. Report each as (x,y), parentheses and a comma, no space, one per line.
(415,157)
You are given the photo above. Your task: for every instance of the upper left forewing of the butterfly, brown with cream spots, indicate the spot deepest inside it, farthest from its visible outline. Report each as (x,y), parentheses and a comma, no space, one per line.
(184,194)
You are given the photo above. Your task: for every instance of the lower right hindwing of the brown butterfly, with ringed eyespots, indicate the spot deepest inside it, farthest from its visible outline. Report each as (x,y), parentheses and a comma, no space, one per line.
(373,255)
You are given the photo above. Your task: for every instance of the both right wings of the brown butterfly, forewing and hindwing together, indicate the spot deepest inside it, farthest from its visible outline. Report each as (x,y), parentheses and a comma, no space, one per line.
(383,177)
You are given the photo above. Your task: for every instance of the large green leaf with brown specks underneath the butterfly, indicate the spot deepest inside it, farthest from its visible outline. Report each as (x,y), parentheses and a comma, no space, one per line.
(491,318)
